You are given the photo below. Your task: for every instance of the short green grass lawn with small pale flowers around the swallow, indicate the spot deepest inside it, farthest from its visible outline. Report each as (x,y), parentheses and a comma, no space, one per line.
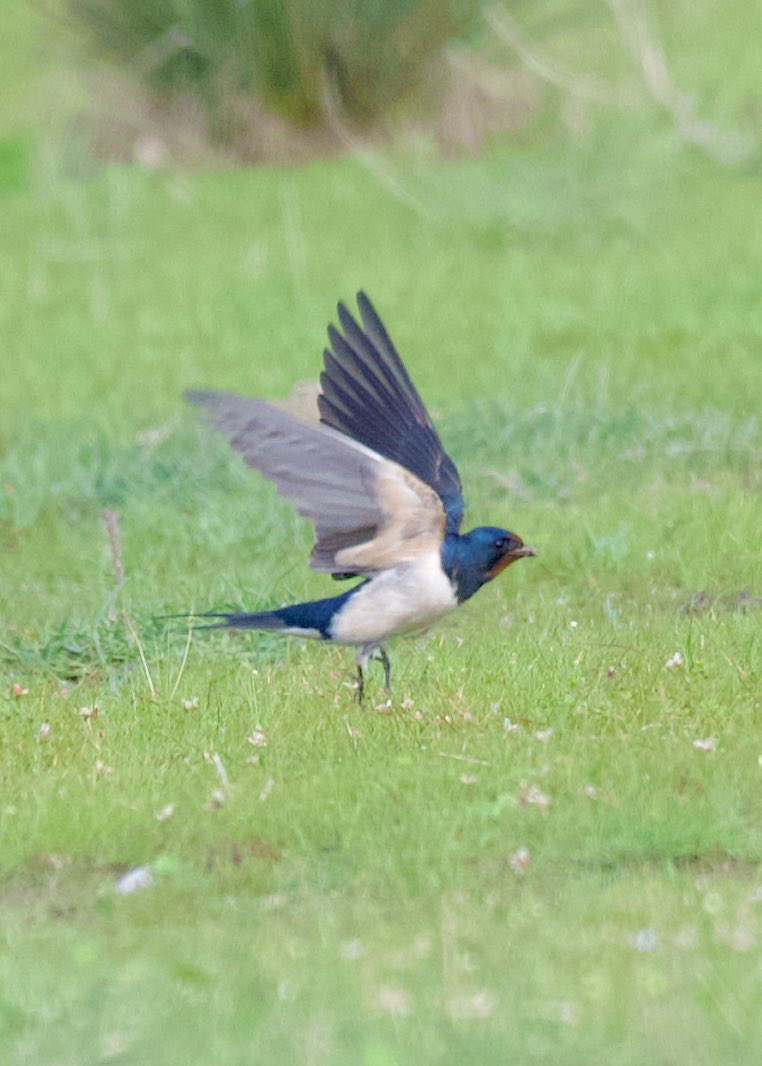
(548,847)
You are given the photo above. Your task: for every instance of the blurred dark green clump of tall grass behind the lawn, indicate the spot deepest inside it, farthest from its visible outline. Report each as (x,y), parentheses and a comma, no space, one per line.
(289,54)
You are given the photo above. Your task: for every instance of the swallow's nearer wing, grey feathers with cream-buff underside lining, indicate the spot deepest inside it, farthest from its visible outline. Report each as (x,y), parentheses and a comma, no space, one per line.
(369,513)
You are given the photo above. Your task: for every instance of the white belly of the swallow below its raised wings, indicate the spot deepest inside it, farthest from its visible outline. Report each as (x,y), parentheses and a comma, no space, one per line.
(400,601)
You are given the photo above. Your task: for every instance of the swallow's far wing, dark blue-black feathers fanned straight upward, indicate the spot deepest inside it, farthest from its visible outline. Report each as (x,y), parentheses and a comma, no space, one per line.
(368,395)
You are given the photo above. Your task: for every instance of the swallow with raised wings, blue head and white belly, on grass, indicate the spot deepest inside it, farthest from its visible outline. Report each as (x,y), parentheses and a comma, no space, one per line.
(366,466)
